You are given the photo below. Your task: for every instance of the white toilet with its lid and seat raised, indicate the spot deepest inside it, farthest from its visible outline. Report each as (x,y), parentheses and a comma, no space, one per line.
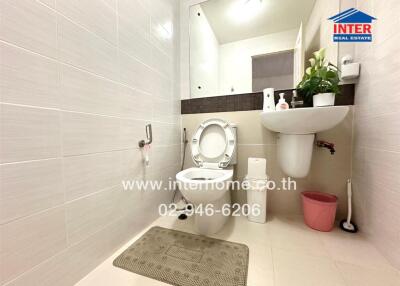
(213,149)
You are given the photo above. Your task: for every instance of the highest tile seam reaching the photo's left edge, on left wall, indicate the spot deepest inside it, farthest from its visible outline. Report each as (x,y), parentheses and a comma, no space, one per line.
(58,62)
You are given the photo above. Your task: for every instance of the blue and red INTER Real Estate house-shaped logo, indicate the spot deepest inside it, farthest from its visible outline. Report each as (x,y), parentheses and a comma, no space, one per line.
(352,25)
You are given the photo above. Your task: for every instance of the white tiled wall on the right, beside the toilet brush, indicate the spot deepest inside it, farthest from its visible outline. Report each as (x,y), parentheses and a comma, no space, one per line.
(377,131)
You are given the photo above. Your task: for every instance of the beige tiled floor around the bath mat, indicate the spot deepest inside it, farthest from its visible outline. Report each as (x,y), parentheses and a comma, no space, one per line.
(283,252)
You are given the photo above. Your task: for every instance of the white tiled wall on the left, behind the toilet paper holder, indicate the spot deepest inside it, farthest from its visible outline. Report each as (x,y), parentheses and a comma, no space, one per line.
(79,80)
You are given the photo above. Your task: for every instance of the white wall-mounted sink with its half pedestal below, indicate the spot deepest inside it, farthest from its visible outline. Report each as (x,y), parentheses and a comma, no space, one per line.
(297,128)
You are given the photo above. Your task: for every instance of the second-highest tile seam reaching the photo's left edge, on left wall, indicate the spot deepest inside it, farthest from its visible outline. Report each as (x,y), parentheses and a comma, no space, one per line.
(87,113)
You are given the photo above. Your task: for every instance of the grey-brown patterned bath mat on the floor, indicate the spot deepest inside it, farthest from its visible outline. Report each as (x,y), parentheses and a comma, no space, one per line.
(185,259)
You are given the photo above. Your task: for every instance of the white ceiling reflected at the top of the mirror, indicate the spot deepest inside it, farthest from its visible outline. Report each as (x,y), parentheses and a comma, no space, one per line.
(274,16)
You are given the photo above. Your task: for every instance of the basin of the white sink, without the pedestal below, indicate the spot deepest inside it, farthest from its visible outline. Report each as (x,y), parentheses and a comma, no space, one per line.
(304,120)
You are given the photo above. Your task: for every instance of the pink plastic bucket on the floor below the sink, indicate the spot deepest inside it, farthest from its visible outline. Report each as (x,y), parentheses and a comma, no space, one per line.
(319,210)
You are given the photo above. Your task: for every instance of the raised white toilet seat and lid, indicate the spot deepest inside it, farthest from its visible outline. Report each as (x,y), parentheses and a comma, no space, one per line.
(213,144)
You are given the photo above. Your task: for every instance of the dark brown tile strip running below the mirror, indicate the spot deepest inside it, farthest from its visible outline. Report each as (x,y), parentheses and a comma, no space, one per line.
(250,101)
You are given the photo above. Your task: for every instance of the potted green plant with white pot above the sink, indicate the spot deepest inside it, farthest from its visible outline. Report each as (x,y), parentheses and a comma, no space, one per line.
(320,81)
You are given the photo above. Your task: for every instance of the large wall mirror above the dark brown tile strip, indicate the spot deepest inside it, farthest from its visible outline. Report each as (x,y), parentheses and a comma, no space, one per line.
(244,46)
